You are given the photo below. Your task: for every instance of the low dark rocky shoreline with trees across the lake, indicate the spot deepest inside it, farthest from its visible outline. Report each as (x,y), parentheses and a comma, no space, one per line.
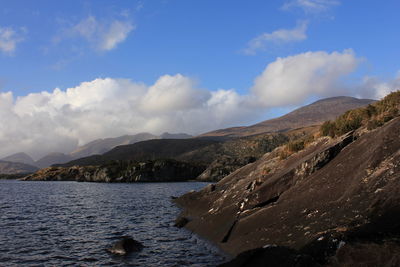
(122,171)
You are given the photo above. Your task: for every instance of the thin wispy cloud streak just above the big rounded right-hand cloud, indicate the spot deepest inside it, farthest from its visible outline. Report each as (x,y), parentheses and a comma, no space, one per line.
(277,37)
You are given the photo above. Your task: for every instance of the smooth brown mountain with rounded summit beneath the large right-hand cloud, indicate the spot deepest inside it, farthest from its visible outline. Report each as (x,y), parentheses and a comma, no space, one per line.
(313,114)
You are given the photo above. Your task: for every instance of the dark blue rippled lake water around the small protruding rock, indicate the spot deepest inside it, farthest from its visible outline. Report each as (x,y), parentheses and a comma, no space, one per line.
(69,223)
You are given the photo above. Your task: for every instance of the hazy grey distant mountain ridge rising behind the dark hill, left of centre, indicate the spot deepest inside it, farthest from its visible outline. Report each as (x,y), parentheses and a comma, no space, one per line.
(101,146)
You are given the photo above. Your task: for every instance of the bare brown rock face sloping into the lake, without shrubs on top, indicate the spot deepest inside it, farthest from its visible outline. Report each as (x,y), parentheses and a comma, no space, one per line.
(345,191)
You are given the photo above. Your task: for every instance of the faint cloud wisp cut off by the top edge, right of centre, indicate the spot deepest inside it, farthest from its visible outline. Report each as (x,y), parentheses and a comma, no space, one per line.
(311,6)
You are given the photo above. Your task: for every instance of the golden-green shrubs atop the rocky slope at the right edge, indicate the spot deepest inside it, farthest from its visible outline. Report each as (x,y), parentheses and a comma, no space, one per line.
(371,116)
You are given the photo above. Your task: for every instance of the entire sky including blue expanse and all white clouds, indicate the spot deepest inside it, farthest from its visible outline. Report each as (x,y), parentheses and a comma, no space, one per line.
(74,71)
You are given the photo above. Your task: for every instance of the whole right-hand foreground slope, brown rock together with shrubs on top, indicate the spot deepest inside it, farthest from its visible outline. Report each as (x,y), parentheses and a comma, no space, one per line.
(330,199)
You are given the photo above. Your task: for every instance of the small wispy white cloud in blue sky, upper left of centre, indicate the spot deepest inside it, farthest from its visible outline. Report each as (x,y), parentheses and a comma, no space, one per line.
(103,35)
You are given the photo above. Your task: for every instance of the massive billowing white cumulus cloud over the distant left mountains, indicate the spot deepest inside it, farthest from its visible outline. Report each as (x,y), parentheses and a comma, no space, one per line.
(40,123)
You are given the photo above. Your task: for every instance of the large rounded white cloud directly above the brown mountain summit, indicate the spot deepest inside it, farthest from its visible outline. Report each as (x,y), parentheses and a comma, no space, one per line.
(291,80)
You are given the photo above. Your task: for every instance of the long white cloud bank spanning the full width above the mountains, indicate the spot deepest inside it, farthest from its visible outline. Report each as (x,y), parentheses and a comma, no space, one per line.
(59,120)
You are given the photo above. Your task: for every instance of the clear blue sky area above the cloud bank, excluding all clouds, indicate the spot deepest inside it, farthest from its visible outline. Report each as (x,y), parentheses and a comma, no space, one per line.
(201,39)
